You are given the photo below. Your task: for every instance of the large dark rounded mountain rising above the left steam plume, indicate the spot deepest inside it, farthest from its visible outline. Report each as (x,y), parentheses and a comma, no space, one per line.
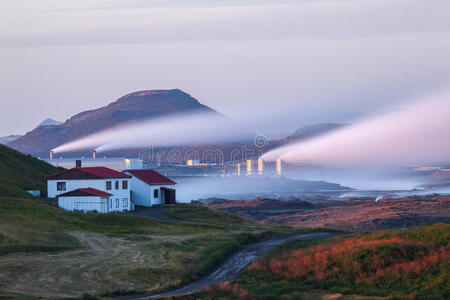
(128,109)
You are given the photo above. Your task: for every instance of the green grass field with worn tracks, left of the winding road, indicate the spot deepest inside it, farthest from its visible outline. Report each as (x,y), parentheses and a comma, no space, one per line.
(49,252)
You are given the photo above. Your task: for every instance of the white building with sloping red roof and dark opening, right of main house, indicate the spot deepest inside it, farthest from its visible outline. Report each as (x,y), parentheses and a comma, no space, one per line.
(150,187)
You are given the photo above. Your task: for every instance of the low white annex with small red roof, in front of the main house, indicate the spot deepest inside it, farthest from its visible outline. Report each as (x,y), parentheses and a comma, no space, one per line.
(85,199)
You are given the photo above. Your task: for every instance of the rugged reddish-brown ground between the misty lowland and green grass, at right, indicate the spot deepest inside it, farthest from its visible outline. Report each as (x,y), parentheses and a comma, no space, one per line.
(356,214)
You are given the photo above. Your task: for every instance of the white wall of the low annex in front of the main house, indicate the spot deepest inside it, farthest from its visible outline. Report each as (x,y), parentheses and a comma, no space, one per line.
(91,203)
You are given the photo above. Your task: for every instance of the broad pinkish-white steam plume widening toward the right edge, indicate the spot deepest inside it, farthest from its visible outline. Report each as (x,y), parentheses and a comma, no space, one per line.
(416,134)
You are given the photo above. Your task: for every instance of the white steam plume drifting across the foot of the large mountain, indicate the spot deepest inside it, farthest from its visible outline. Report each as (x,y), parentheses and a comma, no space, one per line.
(177,129)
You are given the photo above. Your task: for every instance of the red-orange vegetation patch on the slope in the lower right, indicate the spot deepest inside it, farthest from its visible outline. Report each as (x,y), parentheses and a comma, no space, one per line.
(360,260)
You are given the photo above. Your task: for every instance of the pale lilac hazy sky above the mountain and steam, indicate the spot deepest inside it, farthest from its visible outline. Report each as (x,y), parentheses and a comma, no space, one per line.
(273,65)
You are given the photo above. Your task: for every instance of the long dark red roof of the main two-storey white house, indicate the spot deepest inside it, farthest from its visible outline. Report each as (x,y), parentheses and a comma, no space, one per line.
(88,173)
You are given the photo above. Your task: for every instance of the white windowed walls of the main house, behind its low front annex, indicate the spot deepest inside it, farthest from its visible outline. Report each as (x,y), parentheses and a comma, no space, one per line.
(123,196)
